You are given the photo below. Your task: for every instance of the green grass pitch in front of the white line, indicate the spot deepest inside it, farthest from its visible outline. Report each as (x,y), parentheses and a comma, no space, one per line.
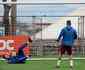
(42,65)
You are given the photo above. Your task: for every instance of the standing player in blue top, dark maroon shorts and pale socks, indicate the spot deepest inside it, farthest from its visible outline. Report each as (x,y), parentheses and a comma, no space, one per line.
(68,35)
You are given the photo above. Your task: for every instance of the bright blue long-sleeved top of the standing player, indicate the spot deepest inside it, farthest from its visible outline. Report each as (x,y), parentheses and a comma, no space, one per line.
(68,35)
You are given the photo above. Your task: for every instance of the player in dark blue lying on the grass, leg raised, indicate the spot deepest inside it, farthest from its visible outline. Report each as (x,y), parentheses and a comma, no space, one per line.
(20,58)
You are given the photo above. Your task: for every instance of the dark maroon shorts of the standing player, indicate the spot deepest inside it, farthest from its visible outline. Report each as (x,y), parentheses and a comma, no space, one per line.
(65,48)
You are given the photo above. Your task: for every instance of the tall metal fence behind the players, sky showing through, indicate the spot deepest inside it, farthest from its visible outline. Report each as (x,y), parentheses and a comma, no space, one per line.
(43,21)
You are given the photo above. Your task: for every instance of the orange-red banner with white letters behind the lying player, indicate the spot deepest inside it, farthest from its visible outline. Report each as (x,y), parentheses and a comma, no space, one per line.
(8,43)
